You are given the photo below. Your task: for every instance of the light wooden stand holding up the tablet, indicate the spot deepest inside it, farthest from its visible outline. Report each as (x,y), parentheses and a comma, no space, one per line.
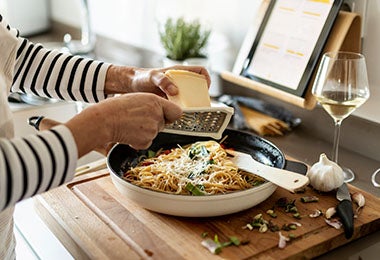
(344,36)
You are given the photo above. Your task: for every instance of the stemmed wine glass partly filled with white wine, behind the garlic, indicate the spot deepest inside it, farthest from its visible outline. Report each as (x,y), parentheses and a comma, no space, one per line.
(341,86)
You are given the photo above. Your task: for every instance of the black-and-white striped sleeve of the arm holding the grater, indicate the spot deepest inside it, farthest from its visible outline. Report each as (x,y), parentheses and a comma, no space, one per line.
(36,163)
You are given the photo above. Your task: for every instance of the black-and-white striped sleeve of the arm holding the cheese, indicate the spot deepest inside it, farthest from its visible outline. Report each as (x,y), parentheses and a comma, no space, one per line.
(52,74)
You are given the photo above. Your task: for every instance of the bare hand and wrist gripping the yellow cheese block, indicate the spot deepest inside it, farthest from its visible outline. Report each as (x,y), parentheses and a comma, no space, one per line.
(121,79)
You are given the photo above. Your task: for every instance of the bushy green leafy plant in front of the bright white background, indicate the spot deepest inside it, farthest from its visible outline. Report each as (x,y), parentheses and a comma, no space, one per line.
(183,40)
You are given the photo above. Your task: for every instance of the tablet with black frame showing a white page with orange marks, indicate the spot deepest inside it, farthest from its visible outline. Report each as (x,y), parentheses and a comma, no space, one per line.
(289,43)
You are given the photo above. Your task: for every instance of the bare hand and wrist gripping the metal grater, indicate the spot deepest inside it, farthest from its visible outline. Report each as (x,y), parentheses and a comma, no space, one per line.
(133,119)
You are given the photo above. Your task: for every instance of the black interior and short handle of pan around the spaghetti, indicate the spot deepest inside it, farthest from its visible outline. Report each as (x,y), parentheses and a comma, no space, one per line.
(122,157)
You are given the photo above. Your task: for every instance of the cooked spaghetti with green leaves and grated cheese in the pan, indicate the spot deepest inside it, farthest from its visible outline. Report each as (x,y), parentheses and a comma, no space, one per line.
(202,168)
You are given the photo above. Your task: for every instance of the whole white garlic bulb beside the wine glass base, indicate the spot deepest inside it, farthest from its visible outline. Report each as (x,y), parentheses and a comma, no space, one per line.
(325,175)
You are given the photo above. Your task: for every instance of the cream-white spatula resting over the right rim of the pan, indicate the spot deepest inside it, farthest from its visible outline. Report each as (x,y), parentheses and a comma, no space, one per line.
(283,178)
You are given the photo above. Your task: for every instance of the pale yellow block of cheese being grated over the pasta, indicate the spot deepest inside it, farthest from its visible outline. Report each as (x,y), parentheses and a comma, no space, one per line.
(192,89)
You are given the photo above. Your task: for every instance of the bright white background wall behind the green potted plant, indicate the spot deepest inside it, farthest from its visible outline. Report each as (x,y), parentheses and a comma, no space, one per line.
(136,21)
